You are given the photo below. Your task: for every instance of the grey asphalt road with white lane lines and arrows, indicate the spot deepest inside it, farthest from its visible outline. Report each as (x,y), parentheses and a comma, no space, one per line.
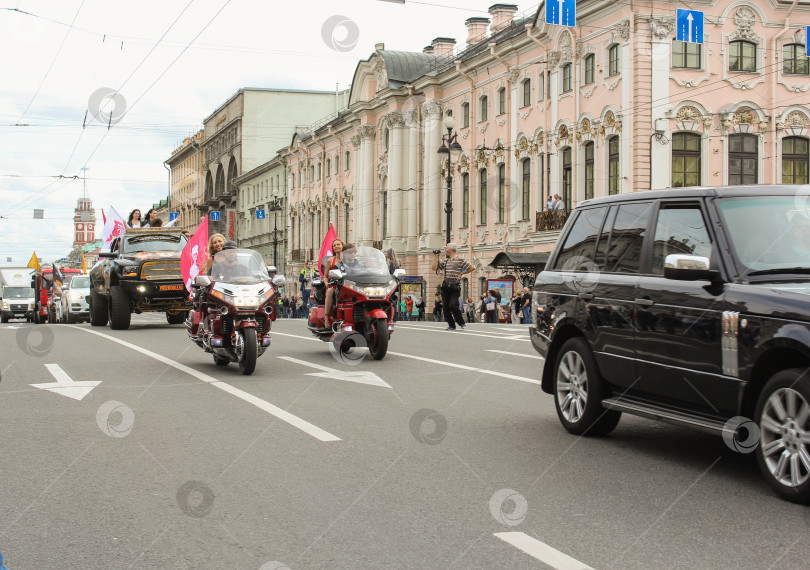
(446,454)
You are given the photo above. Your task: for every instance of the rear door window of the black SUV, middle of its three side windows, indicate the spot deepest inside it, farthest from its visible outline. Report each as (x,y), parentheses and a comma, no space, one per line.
(623,254)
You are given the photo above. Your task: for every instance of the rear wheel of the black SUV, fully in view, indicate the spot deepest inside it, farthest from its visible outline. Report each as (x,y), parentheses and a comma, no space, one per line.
(579,391)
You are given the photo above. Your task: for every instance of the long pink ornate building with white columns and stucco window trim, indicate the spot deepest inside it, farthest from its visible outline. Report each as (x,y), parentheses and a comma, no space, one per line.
(614,105)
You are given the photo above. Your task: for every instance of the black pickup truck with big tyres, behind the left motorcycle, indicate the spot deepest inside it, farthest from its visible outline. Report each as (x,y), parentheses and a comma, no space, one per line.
(140,273)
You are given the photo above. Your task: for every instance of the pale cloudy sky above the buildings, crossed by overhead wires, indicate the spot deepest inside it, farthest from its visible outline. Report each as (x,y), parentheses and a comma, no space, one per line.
(173,62)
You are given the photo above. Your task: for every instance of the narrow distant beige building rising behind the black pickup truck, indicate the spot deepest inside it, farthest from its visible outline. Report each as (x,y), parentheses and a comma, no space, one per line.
(186,181)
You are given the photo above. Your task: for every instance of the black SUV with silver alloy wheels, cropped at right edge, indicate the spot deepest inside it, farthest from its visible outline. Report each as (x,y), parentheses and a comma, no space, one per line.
(687,306)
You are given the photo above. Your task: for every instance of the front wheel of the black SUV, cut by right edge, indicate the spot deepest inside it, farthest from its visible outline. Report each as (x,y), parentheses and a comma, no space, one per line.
(783,417)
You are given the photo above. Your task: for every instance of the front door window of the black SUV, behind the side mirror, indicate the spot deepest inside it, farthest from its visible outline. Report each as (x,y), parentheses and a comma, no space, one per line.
(680,229)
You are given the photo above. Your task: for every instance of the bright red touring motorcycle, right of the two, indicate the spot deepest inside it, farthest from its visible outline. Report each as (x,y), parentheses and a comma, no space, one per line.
(363,315)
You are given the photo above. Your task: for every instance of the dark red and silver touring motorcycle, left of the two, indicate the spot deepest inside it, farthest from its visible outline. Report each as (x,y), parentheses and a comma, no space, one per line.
(233,320)
